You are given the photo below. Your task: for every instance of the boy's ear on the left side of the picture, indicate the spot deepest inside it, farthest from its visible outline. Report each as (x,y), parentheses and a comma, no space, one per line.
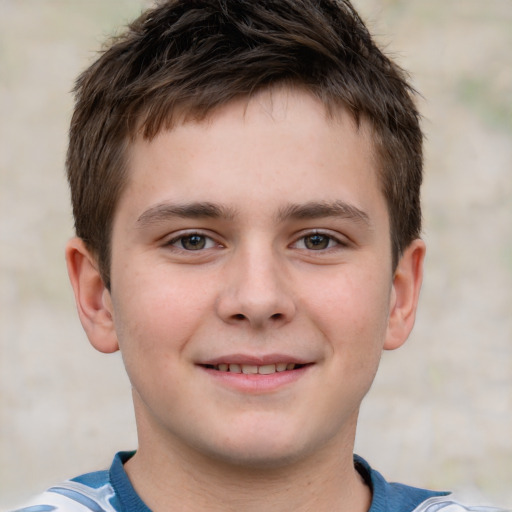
(92,298)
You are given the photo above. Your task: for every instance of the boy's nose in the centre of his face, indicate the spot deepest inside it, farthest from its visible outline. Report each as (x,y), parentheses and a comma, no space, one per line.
(256,291)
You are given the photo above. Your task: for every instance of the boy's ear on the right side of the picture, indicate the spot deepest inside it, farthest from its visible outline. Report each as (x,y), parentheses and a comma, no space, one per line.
(405,294)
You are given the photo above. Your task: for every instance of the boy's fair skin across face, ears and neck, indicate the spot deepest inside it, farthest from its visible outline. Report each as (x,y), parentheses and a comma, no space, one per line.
(260,236)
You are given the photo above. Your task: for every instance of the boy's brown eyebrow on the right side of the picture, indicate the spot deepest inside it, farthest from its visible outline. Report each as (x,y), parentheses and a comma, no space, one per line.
(316,210)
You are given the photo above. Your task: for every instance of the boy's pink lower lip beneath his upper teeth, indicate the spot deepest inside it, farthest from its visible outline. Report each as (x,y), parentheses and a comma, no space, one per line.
(257,383)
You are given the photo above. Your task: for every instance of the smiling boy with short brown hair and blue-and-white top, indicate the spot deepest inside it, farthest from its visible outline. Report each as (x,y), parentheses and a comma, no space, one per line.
(245,182)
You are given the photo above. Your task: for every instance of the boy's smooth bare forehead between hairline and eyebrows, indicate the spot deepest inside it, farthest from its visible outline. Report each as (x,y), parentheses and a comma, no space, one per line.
(282,144)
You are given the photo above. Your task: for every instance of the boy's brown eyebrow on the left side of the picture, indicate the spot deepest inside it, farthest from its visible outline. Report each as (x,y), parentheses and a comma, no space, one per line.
(198,210)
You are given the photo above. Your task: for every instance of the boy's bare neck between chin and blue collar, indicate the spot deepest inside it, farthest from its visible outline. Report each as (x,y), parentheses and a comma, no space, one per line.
(324,482)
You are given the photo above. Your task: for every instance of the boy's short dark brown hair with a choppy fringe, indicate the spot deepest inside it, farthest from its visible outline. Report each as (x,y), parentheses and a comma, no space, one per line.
(188,57)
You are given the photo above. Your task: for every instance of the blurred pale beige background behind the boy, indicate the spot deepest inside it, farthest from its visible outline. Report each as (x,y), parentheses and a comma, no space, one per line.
(440,412)
